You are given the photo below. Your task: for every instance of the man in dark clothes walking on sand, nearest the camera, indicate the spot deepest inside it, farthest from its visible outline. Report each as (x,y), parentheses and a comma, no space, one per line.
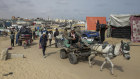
(43,42)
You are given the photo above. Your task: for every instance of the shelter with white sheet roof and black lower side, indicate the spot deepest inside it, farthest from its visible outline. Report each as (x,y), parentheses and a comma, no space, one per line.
(120,25)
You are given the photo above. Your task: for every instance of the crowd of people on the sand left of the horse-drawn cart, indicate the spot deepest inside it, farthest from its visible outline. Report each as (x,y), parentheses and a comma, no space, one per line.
(44,35)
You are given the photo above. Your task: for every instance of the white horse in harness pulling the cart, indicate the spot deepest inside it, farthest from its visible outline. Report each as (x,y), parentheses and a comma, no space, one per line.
(109,52)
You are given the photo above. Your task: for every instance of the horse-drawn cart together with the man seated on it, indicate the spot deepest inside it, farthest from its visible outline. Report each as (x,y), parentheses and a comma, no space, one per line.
(74,48)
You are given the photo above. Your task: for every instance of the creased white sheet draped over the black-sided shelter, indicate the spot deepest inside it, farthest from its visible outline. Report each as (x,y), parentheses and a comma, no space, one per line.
(120,20)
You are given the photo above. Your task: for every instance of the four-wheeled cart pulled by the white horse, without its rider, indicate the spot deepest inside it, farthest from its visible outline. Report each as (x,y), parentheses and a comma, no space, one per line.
(74,52)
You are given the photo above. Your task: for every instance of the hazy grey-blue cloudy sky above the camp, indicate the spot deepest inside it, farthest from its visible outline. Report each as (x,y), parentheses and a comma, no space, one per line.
(67,9)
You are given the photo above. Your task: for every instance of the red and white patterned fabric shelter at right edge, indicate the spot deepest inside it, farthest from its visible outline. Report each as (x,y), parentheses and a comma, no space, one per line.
(135,28)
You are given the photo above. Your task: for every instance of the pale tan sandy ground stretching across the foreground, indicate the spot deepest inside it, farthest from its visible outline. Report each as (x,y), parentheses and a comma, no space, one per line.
(34,66)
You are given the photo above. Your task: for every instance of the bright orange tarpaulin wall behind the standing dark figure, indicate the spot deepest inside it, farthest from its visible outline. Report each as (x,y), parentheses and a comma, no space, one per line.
(91,22)
